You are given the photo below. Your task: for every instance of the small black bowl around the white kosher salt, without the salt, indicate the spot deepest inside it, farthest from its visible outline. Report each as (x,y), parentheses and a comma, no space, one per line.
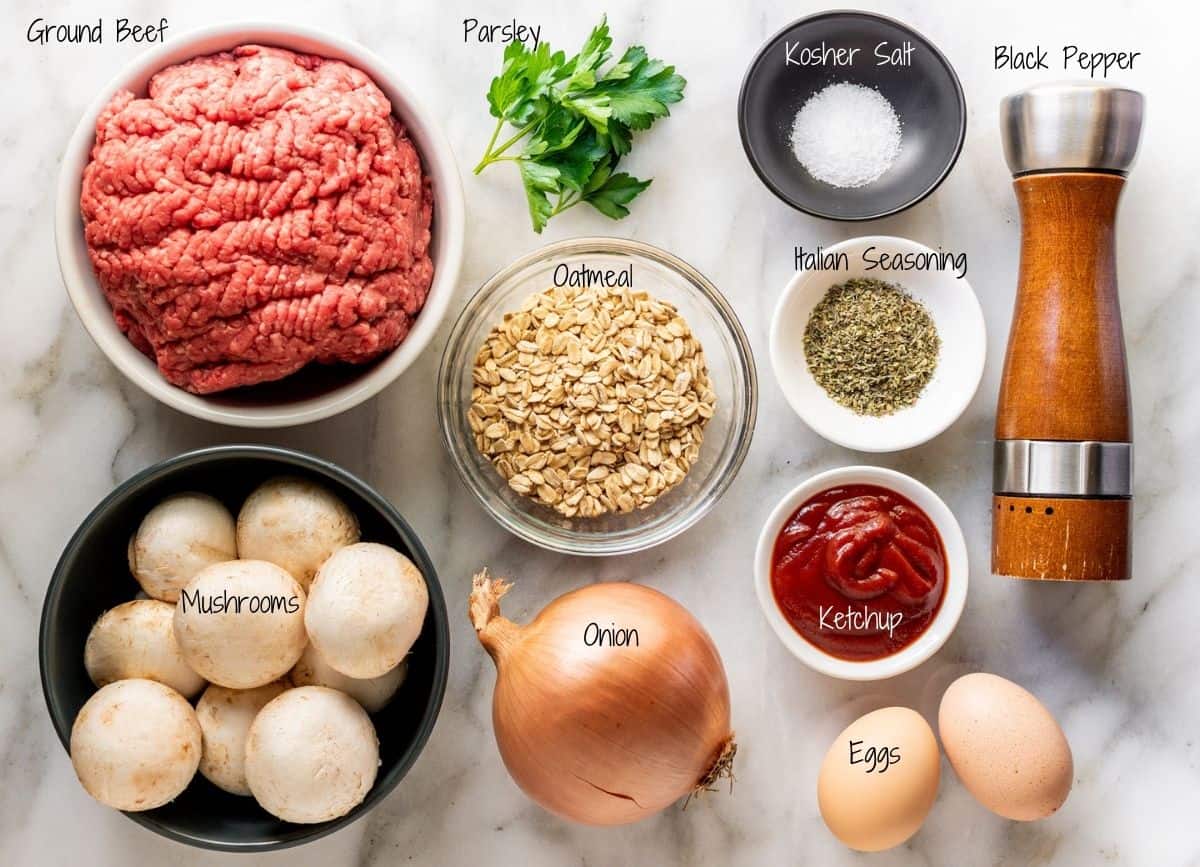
(927,97)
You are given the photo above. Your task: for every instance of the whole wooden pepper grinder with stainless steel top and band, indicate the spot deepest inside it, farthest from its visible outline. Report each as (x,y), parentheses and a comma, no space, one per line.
(1064,456)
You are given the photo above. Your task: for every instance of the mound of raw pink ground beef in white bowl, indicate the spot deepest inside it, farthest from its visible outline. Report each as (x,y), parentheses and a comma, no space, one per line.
(259,212)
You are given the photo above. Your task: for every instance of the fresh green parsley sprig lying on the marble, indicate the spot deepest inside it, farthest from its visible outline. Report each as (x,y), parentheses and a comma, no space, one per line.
(575,122)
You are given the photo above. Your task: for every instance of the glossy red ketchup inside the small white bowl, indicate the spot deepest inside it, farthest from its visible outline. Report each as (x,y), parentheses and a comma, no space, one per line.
(860,572)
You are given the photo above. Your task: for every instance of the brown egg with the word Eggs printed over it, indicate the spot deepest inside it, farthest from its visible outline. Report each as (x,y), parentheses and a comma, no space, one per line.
(879,780)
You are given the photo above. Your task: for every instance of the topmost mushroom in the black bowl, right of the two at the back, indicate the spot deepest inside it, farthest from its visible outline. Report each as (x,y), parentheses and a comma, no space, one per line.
(295,524)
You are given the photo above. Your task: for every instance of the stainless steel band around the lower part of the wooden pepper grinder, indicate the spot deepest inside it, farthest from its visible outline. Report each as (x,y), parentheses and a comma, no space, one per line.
(1055,469)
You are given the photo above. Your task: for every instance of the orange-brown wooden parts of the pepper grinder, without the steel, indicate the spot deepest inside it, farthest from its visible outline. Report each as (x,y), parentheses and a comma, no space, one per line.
(1065,379)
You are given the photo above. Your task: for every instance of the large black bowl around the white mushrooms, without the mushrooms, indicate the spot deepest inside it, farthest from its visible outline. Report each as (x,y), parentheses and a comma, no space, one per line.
(93,576)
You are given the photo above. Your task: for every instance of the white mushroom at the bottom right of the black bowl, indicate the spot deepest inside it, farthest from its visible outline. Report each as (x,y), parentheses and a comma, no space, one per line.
(311,756)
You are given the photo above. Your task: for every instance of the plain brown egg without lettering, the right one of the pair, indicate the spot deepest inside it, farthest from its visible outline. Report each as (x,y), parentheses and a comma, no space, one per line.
(1006,748)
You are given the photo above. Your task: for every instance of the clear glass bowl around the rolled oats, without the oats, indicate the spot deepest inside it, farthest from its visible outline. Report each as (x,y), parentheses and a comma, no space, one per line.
(727,437)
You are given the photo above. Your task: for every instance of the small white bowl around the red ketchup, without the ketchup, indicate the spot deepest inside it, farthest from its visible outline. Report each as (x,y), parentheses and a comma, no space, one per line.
(947,617)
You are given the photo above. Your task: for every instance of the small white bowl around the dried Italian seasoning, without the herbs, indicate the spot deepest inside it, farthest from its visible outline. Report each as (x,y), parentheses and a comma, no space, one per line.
(959,320)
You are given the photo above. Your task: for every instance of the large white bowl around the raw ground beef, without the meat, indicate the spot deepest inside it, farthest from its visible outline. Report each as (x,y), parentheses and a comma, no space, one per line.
(308,397)
